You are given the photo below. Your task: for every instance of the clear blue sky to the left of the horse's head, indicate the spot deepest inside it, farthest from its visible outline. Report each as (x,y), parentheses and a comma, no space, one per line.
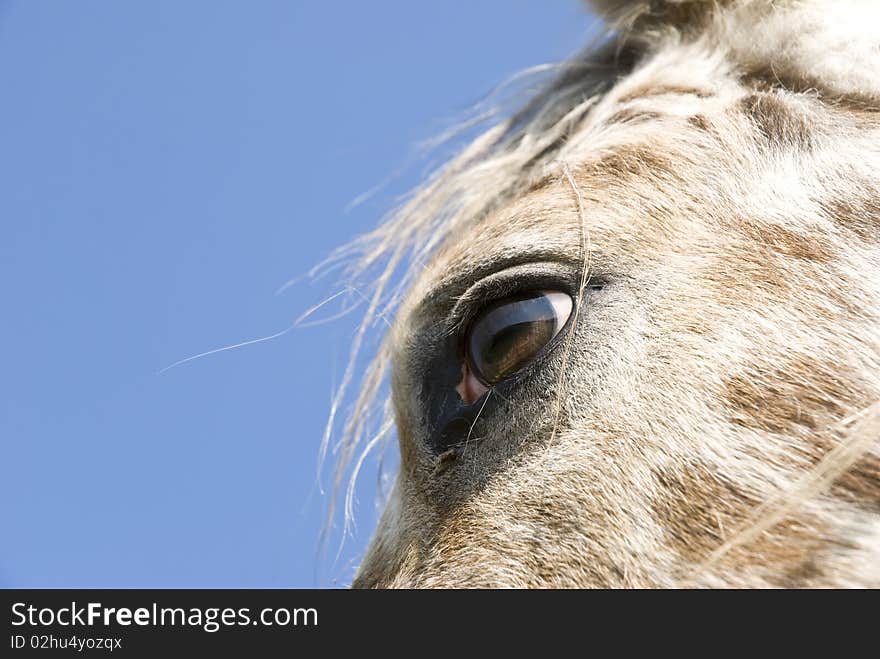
(166,167)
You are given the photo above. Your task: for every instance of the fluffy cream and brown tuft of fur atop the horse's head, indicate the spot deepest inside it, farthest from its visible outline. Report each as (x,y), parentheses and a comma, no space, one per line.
(831,46)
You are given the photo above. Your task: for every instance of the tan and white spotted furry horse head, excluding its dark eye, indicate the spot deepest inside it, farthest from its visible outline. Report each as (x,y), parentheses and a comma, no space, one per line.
(711,418)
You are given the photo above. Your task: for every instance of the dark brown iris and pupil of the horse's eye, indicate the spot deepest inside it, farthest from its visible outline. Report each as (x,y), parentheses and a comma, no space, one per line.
(510,334)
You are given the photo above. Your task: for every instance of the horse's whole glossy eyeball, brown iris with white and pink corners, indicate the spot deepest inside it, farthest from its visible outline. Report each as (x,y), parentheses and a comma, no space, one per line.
(509,334)
